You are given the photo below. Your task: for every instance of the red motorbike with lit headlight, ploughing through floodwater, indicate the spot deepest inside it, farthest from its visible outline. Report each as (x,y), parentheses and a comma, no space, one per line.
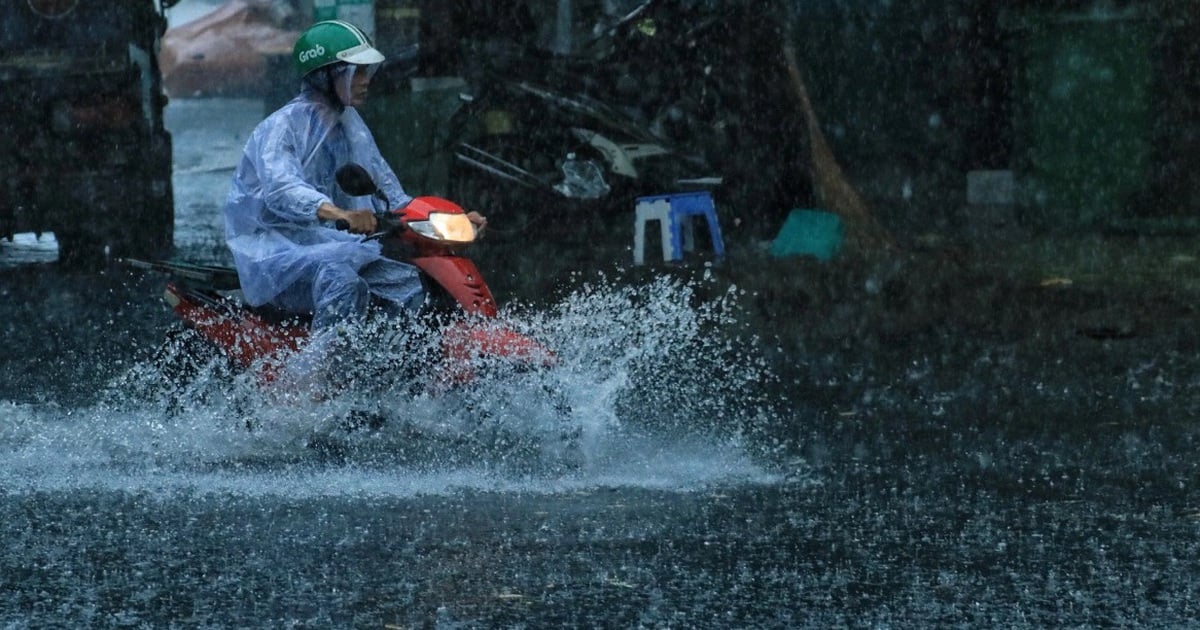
(430,233)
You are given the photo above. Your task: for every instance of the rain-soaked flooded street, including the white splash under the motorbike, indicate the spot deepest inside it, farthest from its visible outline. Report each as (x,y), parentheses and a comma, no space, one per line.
(932,481)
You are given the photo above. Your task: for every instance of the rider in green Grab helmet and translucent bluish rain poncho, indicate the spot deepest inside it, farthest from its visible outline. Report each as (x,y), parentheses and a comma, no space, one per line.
(285,201)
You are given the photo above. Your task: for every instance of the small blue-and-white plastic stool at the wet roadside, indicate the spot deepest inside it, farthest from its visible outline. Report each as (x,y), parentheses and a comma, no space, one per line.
(675,213)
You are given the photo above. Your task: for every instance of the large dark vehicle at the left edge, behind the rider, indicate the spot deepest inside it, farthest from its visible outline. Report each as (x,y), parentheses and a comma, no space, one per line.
(83,149)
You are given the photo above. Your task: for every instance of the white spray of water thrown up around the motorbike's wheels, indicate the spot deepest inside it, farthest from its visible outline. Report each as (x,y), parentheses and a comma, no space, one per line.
(651,389)
